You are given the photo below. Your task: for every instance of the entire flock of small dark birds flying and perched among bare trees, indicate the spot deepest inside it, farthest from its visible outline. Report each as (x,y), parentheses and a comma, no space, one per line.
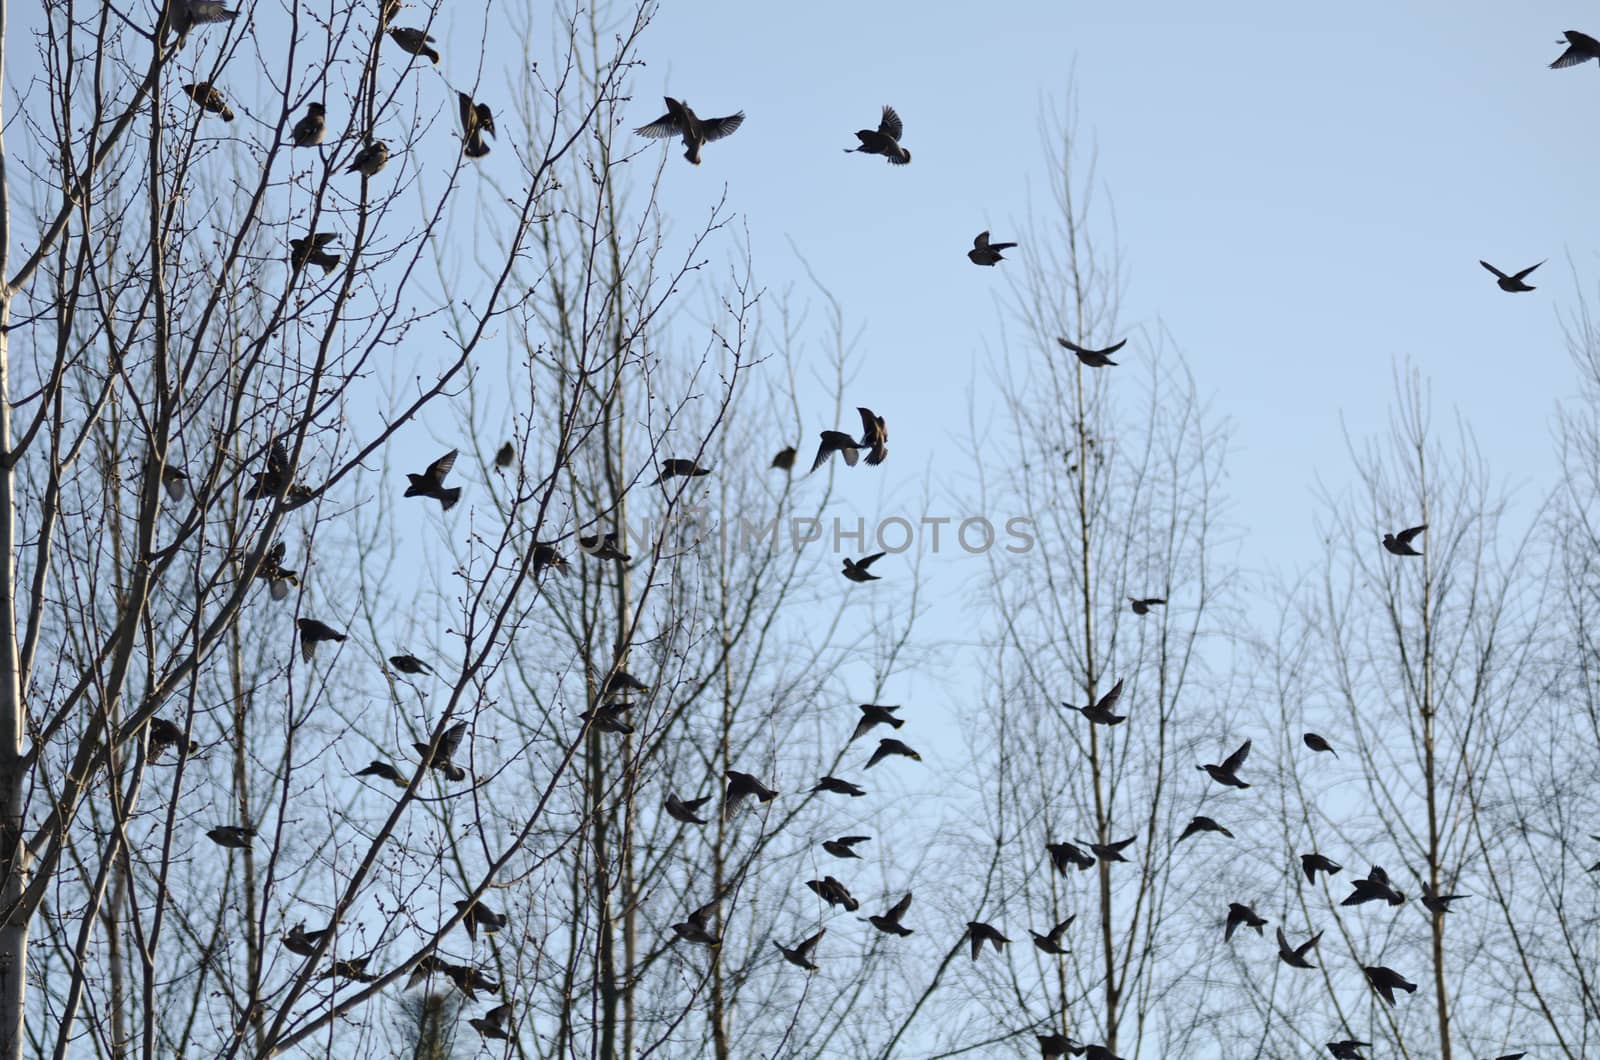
(620,691)
